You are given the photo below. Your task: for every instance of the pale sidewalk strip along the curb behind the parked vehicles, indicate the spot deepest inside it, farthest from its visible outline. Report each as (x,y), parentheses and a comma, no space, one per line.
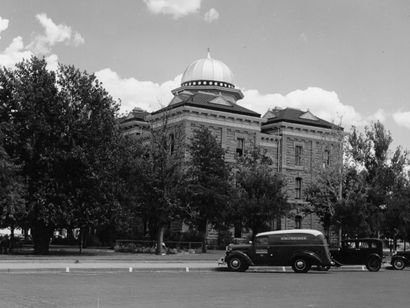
(108,260)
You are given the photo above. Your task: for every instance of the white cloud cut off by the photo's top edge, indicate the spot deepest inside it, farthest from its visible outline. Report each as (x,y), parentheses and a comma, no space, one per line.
(176,8)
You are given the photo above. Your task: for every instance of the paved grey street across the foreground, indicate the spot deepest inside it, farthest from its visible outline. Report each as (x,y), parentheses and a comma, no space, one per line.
(386,288)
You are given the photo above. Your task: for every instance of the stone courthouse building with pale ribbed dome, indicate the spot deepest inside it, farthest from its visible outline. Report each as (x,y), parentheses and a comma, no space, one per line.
(298,142)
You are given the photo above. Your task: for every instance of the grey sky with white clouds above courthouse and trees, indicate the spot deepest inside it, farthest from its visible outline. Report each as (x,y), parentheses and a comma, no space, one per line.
(344,60)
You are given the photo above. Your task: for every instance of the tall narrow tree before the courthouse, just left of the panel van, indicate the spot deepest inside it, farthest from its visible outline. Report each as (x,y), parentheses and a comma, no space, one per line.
(207,182)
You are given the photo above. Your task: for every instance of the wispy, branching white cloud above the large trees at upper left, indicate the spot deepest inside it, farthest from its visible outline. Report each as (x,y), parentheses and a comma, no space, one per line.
(53,34)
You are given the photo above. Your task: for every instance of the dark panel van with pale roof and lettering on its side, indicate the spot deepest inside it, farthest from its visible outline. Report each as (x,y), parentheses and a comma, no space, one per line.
(300,248)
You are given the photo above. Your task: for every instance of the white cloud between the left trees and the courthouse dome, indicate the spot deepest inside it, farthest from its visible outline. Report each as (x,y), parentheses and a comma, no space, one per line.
(147,95)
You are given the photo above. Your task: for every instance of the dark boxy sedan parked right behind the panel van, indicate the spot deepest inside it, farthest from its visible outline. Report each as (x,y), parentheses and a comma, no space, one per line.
(364,251)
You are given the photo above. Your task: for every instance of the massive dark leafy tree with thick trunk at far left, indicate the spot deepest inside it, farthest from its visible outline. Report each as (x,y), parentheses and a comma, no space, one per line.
(63,138)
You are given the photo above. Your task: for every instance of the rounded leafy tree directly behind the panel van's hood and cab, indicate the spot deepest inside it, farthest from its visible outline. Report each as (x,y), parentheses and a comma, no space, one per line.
(259,192)
